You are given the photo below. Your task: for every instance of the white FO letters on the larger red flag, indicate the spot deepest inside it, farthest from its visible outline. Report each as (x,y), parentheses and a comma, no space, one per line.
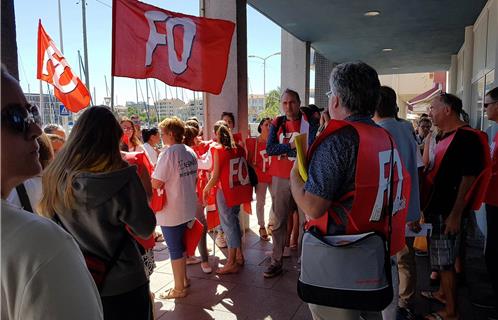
(177,66)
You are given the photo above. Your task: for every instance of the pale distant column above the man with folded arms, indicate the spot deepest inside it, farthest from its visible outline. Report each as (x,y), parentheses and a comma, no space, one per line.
(295,66)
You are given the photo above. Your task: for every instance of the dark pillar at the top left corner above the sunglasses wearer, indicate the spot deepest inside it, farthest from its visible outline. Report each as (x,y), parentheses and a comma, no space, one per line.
(9,43)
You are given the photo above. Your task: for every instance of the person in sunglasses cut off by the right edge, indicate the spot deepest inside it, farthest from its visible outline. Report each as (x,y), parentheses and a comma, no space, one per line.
(491,200)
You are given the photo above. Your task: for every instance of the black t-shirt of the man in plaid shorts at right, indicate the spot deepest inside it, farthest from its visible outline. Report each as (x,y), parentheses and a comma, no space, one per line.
(464,157)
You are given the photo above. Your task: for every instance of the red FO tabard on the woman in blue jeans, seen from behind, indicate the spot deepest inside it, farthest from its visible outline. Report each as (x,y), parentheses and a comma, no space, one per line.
(234,176)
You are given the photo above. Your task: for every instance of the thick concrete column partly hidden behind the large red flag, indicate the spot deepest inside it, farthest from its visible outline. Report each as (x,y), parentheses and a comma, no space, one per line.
(233,97)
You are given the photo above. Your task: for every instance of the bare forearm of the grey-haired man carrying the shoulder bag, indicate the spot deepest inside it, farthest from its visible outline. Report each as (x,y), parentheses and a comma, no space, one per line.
(313,206)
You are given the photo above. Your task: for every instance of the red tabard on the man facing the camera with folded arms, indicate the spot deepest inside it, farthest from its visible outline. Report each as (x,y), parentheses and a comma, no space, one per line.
(281,165)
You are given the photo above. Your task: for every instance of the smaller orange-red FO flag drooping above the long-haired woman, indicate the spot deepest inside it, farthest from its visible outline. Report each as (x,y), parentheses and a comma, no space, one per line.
(53,68)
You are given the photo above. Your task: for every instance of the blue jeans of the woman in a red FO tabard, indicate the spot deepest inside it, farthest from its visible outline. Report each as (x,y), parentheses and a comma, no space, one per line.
(229,218)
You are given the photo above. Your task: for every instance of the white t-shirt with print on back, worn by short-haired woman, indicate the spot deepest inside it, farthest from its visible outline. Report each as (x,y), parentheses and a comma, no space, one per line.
(177,168)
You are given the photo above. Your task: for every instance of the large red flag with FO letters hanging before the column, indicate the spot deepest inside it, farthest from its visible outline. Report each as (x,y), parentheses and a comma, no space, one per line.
(181,50)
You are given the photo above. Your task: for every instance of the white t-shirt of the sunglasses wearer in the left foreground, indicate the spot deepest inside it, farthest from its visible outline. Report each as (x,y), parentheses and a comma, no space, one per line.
(44,275)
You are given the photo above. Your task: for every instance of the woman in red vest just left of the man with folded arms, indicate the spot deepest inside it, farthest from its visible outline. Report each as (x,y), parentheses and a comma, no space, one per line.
(260,161)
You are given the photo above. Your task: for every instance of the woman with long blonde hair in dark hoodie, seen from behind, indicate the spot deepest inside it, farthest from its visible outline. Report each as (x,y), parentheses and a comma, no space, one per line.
(93,194)
